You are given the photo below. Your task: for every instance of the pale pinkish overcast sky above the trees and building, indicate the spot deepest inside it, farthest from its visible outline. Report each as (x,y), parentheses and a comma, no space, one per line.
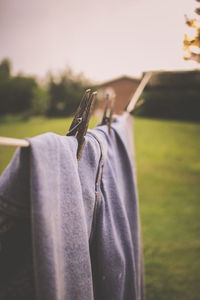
(102,38)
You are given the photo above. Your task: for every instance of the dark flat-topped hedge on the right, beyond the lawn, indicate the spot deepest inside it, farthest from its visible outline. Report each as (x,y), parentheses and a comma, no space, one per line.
(172,95)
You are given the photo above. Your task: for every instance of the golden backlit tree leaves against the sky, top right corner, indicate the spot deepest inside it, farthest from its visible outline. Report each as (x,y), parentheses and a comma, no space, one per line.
(191,43)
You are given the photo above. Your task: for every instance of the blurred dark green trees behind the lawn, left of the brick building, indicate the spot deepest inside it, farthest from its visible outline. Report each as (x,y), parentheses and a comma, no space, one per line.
(60,95)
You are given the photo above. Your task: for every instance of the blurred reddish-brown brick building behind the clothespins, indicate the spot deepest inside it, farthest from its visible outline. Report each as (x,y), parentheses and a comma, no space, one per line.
(122,89)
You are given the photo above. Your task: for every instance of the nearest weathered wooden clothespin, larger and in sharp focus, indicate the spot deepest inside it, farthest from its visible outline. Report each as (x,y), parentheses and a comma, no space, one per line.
(81,119)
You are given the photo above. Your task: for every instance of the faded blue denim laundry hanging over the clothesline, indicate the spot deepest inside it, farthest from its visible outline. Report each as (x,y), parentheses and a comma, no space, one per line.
(84,215)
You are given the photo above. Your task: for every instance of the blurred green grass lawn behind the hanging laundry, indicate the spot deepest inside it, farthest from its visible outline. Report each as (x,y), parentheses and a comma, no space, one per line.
(168,169)
